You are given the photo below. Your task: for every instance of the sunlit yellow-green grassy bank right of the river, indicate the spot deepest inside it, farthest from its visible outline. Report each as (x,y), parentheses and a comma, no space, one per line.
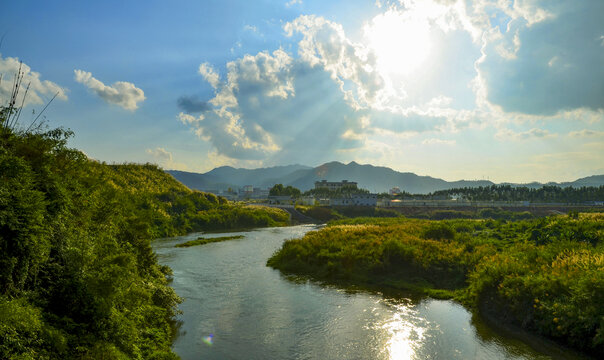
(545,275)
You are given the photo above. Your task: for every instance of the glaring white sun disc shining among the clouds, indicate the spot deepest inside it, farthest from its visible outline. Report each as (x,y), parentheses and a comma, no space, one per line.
(401,43)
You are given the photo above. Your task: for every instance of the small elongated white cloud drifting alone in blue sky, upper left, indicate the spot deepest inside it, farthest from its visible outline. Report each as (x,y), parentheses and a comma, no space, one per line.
(123,94)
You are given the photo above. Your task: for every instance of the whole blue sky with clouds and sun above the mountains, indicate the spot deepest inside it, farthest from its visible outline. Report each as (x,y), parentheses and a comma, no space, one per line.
(457,89)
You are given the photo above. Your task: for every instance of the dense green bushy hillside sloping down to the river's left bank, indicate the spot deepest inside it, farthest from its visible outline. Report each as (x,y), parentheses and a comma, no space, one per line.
(78,278)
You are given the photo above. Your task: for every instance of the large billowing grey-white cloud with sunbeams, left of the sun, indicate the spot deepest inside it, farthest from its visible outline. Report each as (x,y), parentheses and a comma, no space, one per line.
(271,106)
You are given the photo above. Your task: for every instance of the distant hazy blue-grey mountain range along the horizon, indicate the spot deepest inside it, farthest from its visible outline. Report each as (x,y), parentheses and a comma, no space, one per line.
(374,178)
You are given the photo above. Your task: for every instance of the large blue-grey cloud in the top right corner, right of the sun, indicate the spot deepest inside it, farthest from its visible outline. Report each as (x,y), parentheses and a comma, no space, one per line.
(547,59)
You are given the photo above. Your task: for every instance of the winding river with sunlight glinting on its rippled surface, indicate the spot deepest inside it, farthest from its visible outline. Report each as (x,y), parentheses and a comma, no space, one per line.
(254,312)
